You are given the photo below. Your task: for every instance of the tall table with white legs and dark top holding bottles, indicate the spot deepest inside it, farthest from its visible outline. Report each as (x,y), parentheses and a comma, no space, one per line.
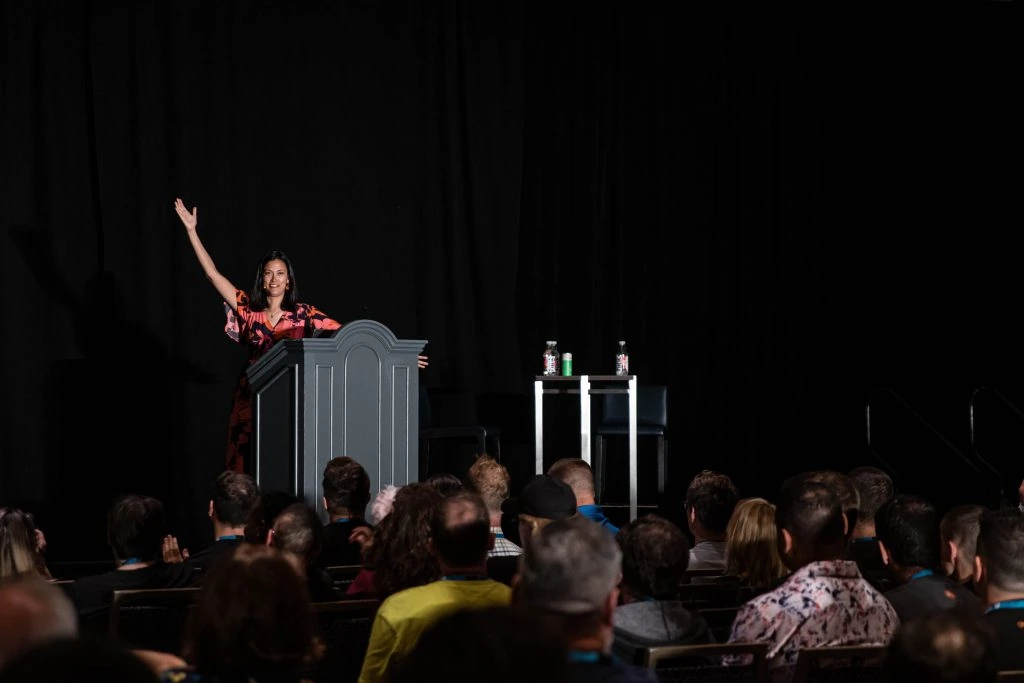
(585,386)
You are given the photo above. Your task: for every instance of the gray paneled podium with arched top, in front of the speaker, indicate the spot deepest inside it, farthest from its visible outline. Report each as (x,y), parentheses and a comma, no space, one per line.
(354,394)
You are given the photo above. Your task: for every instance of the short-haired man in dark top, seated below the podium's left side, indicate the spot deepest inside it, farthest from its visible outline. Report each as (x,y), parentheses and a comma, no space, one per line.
(298,534)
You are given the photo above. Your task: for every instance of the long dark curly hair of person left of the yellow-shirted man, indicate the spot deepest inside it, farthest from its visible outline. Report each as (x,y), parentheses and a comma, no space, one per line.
(400,553)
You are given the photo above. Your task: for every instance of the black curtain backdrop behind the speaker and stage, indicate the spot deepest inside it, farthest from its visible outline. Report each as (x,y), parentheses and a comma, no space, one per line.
(781,207)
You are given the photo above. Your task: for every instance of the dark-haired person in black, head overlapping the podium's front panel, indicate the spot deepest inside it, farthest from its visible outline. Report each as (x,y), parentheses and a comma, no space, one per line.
(347,494)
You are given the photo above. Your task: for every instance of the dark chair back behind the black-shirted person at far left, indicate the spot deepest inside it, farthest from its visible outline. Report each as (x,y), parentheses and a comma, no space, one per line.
(152,619)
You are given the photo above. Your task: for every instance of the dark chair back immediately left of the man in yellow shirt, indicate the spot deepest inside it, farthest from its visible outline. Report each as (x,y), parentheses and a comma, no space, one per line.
(345,629)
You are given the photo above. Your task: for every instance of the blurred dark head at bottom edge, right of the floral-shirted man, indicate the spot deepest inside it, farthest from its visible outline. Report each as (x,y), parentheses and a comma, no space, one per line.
(948,648)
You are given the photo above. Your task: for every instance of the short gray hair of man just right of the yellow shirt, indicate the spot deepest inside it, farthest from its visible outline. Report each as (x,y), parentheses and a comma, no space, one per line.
(571,567)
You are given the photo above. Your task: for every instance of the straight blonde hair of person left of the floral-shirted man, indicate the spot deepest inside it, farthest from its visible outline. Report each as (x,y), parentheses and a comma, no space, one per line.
(752,544)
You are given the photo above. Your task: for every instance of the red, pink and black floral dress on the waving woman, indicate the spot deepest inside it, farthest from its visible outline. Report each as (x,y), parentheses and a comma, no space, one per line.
(254,330)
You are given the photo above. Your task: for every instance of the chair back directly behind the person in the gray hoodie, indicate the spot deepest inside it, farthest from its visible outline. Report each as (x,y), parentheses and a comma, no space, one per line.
(703,664)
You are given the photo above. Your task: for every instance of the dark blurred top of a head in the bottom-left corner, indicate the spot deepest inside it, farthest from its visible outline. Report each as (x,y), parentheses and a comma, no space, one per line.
(76,661)
